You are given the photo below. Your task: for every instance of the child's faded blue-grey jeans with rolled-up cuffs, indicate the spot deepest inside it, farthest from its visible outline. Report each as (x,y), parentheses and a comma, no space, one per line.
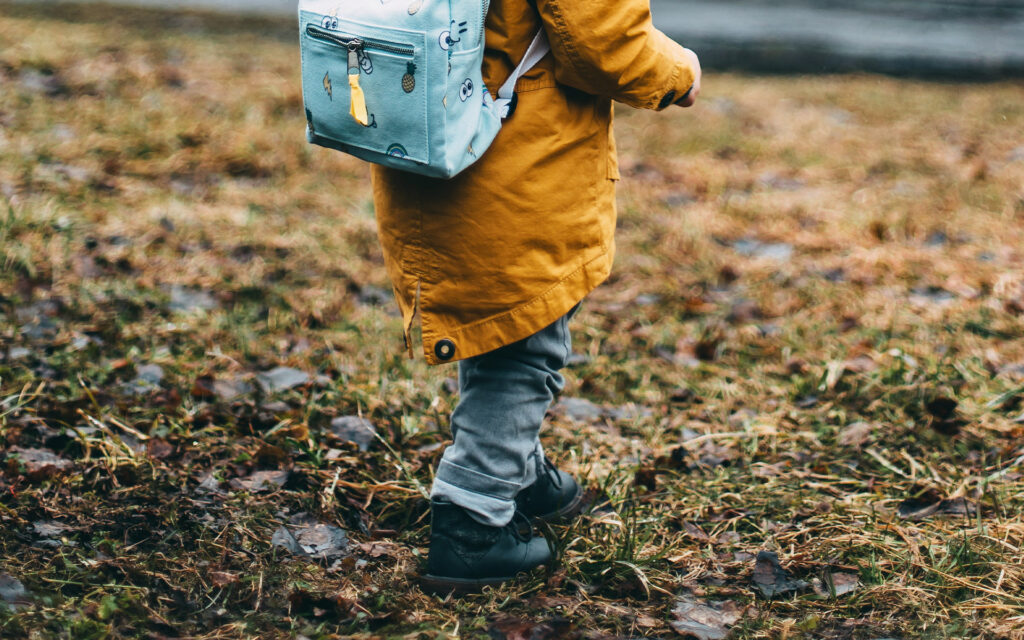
(504,396)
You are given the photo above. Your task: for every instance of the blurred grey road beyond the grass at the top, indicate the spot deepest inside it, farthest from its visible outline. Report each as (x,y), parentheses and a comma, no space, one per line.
(962,39)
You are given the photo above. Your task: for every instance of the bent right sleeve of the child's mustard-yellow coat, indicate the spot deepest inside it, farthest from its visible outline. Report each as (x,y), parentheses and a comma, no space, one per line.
(612,49)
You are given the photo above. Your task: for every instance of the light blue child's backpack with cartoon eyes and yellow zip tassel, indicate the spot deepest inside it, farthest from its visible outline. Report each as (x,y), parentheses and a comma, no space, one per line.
(399,83)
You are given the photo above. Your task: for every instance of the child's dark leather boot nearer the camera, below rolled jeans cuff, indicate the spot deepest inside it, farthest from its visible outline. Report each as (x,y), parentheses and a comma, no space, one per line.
(465,556)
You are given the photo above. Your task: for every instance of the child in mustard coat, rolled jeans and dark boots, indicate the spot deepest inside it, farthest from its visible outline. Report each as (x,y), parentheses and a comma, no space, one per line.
(497,261)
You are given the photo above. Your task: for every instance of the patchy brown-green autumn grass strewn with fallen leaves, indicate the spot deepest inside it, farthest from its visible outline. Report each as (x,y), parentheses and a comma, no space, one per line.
(796,257)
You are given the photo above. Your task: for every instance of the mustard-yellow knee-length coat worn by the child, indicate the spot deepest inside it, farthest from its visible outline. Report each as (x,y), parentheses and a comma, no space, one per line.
(515,242)
